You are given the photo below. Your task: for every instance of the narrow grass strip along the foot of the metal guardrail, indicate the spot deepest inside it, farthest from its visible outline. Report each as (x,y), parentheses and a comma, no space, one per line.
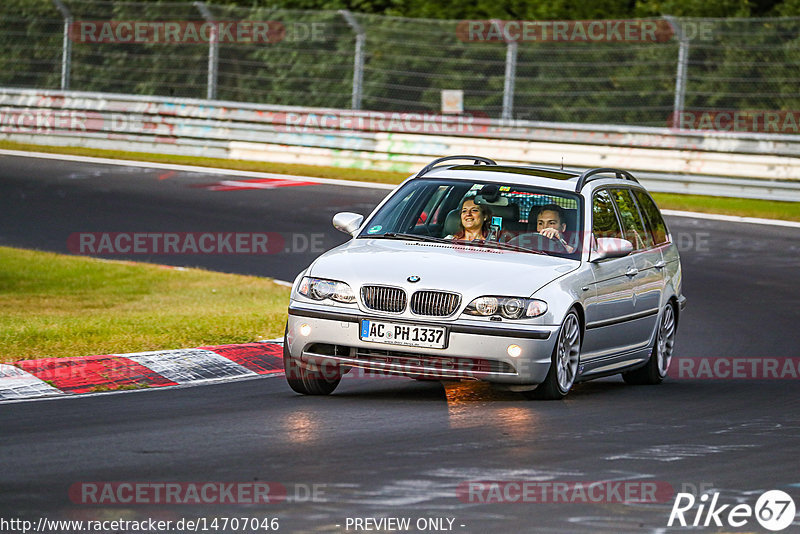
(766,209)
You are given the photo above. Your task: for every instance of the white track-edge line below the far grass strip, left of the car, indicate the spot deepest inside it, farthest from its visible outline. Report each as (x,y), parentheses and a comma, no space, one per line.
(193,168)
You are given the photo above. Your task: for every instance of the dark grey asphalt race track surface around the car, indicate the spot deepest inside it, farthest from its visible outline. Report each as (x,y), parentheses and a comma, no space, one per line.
(396,447)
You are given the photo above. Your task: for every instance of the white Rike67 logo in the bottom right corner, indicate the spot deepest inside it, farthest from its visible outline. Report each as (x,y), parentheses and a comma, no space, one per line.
(774,510)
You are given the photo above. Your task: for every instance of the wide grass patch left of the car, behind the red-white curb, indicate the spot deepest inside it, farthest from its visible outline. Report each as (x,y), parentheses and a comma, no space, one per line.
(54,305)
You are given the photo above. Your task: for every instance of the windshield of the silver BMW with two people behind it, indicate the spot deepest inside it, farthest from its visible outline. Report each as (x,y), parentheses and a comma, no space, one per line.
(499,215)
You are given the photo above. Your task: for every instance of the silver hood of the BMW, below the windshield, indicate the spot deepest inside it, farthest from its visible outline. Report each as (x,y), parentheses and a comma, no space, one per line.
(461,268)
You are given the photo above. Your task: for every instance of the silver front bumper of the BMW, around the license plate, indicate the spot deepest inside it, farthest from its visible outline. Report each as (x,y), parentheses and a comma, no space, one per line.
(474,351)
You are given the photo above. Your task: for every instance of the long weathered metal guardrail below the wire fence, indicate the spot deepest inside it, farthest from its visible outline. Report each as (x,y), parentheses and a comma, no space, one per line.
(754,165)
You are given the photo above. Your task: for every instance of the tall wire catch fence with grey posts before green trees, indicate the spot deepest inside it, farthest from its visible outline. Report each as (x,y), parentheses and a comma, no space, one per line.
(638,72)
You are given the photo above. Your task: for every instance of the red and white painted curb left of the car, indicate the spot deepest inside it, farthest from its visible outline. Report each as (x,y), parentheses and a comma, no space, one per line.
(46,377)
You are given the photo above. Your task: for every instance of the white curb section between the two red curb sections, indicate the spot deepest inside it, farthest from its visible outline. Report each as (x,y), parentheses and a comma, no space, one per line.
(190,365)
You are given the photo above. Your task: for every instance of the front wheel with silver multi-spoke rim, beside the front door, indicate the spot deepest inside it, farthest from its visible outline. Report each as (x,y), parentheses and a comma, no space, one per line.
(564,362)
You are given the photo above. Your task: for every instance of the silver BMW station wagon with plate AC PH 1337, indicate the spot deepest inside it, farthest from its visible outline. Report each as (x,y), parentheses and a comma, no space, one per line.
(530,278)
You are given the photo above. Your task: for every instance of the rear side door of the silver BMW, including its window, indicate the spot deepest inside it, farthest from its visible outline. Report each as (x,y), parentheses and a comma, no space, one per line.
(648,280)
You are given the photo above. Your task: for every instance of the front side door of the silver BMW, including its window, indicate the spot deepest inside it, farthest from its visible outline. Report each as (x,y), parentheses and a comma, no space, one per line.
(611,302)
